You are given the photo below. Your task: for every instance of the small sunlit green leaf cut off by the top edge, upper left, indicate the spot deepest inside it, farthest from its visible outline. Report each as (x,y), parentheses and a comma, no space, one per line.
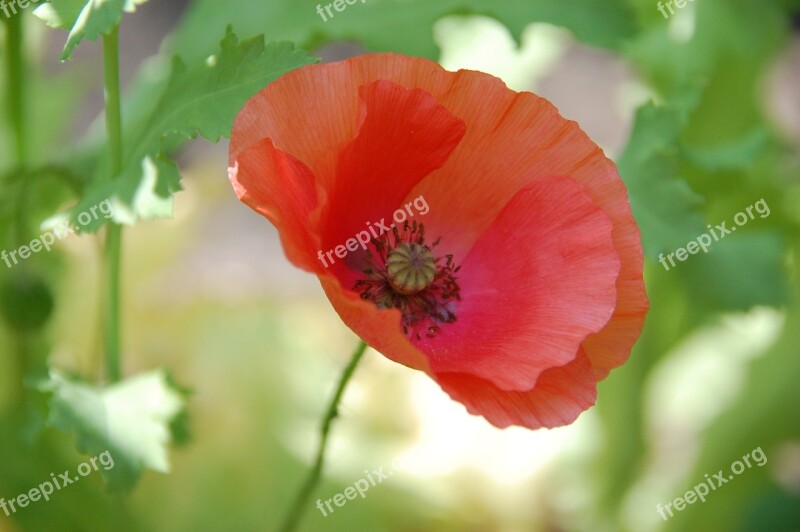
(84,19)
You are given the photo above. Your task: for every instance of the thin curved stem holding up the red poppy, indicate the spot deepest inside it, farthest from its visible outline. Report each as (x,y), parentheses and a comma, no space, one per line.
(298,507)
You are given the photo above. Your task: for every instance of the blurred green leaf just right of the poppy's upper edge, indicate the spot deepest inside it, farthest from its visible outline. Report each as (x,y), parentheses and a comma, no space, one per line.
(666,209)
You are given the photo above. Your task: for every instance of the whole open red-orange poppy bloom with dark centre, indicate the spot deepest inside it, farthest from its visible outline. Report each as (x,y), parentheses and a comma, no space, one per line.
(501,256)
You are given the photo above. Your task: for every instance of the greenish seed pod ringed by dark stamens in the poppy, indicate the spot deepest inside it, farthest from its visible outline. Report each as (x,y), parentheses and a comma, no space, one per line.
(405,273)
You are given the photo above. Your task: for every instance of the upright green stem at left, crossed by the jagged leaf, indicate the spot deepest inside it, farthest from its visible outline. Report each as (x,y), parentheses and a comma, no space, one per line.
(113,249)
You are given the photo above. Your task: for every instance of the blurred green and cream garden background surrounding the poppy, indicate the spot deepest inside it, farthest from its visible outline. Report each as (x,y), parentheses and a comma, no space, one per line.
(701,110)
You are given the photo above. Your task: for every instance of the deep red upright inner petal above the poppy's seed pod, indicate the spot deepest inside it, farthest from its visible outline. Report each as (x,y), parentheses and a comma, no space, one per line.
(404,136)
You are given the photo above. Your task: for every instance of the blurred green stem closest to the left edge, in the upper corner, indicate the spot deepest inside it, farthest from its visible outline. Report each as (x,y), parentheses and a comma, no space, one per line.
(15,74)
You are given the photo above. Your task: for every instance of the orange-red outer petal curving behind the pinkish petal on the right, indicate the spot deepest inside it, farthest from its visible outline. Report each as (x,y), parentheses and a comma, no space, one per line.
(513,139)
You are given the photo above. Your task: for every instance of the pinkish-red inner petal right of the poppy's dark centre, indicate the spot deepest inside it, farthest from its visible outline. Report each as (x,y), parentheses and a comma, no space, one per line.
(538,281)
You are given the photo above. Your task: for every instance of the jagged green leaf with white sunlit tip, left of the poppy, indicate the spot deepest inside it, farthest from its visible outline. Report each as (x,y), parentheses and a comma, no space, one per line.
(202,99)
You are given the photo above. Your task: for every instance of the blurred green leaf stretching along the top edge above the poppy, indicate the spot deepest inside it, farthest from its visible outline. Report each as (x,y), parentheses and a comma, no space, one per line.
(402,26)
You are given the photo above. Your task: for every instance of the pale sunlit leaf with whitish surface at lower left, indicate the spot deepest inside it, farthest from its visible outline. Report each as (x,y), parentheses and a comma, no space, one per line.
(131,420)
